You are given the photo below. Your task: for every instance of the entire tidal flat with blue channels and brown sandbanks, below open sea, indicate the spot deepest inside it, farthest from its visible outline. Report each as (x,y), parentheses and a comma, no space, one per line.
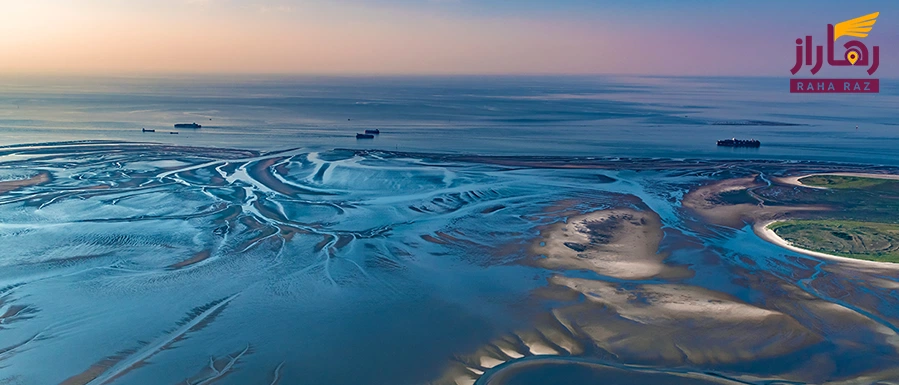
(130,263)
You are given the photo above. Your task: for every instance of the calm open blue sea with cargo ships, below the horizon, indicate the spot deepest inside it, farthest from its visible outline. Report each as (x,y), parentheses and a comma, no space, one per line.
(559,116)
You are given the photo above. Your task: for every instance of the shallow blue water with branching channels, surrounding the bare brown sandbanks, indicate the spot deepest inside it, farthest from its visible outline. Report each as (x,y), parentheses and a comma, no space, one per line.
(155,264)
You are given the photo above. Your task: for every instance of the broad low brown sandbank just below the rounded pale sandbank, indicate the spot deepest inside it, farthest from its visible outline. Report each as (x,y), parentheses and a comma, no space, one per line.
(652,323)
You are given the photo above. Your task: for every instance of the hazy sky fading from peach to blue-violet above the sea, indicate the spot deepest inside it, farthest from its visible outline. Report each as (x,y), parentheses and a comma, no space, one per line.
(416,37)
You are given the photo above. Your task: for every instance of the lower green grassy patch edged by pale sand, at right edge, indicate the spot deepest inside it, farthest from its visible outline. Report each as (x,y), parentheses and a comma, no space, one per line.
(861,240)
